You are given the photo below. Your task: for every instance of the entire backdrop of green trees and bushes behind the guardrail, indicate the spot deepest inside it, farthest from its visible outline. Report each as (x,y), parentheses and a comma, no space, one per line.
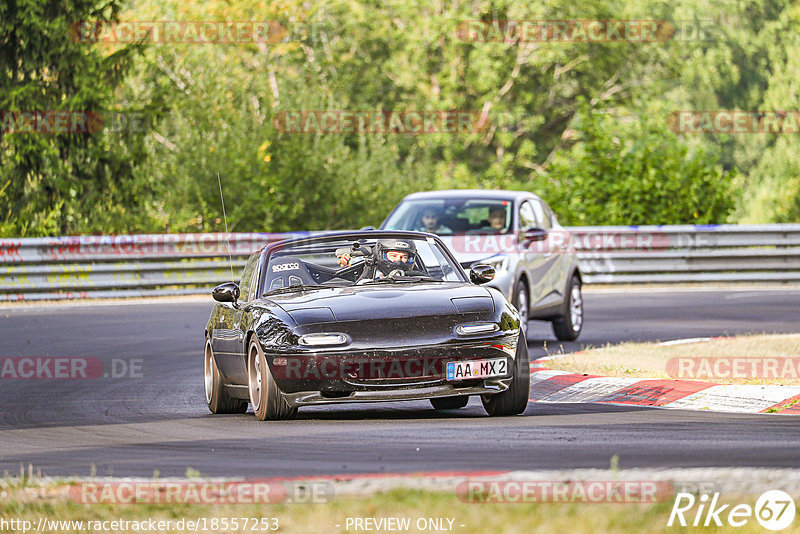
(583,124)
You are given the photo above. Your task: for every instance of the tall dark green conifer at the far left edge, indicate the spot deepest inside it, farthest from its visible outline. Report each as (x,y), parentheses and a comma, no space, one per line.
(62,183)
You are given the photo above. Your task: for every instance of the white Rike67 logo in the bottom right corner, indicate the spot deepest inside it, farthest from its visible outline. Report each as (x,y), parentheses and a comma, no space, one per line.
(774,510)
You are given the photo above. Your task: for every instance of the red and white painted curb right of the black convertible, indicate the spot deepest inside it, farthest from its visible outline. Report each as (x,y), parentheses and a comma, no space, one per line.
(548,385)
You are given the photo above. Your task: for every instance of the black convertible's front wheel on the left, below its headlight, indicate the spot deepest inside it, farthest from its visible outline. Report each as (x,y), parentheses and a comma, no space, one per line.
(266,398)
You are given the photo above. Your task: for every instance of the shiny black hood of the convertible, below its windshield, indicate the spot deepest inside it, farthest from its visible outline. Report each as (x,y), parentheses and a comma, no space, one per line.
(389,301)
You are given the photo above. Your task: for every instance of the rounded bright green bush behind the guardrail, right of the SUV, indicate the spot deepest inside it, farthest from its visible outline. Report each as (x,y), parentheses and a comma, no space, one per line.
(632,170)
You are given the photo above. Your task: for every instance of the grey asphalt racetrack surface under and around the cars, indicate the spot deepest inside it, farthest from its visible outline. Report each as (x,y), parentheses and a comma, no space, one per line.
(157,418)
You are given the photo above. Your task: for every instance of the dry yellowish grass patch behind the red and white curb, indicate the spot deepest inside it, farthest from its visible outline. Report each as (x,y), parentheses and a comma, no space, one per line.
(650,360)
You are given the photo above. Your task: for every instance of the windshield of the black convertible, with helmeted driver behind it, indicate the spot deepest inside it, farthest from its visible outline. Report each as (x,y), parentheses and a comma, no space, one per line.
(340,262)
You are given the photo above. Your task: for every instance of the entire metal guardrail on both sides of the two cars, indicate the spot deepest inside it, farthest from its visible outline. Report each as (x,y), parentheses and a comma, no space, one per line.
(173,264)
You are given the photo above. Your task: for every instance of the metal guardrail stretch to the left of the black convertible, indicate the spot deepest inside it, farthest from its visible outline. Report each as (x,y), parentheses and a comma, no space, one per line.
(122,266)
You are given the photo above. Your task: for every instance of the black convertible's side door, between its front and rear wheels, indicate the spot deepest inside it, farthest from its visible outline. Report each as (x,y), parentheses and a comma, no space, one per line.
(227,337)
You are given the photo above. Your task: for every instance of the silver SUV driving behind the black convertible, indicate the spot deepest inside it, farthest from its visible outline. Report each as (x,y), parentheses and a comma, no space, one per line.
(516,233)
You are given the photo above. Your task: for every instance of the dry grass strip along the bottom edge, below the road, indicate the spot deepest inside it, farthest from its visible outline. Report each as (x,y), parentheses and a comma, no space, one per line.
(31,502)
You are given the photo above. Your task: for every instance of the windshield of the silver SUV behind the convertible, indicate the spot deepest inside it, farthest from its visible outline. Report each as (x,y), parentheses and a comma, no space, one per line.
(453,216)
